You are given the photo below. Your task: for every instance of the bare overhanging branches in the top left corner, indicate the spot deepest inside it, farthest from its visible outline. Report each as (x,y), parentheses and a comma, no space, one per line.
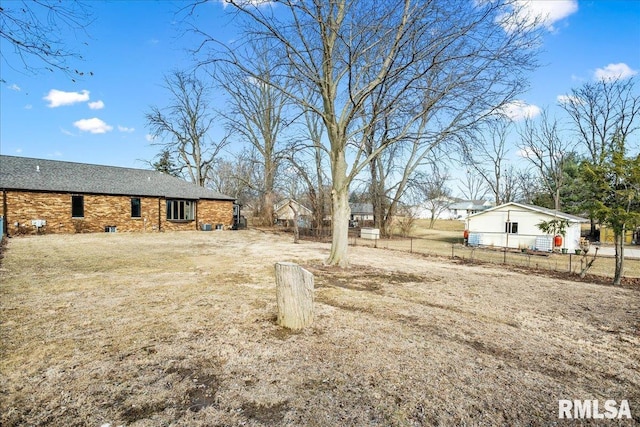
(35,29)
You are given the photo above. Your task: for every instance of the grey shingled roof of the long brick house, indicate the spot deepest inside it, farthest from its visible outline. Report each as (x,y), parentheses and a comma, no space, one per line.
(22,173)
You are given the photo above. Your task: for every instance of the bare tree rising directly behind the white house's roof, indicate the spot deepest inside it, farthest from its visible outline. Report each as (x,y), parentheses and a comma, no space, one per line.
(542,145)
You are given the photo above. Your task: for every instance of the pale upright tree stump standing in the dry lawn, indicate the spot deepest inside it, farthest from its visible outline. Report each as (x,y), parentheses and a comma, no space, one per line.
(294,292)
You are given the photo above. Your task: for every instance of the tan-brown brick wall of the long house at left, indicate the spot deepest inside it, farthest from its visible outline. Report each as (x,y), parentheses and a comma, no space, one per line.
(101,211)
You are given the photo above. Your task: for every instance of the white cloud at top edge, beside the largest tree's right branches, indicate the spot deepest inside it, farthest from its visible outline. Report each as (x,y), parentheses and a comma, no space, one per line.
(543,13)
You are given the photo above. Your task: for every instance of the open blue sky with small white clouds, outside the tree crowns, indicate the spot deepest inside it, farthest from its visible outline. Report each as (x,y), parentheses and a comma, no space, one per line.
(132,45)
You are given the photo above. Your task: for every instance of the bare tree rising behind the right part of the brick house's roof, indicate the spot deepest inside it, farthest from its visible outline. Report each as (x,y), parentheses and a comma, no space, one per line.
(182,127)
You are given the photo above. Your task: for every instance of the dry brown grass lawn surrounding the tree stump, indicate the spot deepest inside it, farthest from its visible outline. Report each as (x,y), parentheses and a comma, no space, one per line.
(179,329)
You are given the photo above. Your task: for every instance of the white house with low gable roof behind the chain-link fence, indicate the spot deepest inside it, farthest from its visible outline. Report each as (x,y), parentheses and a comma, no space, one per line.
(515,225)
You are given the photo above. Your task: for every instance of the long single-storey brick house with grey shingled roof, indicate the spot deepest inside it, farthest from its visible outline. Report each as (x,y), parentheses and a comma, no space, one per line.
(47,196)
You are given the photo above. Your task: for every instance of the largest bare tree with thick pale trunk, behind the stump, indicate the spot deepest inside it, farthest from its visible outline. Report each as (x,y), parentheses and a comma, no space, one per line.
(369,61)
